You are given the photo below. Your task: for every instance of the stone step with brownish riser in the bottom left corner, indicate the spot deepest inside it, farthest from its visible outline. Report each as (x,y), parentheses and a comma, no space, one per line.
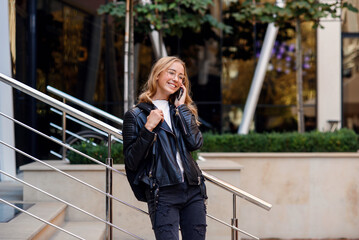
(24,226)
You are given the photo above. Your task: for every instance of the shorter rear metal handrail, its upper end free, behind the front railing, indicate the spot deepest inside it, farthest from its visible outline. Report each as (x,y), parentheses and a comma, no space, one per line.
(84,105)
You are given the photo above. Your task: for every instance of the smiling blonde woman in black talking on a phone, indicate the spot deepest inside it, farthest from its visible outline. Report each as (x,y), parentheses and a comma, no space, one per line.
(159,134)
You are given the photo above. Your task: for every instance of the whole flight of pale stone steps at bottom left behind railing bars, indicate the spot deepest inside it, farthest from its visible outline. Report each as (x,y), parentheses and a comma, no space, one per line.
(24,226)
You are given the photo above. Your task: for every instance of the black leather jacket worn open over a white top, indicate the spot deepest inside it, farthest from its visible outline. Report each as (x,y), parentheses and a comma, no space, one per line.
(138,142)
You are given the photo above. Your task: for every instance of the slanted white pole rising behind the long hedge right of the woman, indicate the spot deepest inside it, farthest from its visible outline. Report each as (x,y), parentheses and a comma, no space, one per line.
(259,75)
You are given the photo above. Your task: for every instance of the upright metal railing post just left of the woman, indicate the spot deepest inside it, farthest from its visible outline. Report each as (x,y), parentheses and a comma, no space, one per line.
(109,162)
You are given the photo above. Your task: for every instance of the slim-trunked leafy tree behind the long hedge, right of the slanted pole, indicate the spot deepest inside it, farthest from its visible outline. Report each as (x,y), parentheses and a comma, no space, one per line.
(295,12)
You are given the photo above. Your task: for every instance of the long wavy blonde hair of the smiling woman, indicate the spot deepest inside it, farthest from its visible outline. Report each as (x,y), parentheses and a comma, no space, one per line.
(150,87)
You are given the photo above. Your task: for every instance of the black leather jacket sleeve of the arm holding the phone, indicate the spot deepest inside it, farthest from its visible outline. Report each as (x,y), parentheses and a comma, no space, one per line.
(191,134)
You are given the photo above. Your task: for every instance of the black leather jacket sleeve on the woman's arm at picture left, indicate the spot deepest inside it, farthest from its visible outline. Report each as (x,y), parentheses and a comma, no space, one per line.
(136,141)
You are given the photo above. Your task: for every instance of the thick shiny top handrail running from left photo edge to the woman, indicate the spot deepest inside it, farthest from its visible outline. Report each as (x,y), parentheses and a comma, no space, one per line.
(62,106)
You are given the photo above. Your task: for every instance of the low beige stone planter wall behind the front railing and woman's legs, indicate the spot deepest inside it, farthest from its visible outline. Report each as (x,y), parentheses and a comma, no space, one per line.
(219,203)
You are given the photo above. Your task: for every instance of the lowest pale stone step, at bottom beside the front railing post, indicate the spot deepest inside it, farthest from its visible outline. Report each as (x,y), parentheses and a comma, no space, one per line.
(86,230)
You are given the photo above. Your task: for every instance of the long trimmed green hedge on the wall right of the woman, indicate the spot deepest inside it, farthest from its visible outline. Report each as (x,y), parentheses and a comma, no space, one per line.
(343,140)
